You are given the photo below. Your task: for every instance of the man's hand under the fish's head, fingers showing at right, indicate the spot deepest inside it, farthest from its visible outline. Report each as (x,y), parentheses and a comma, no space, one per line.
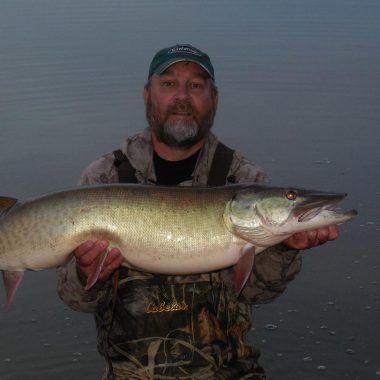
(309,239)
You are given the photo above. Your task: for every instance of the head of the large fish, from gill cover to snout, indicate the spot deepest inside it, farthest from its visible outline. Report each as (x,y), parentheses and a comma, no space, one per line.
(267,215)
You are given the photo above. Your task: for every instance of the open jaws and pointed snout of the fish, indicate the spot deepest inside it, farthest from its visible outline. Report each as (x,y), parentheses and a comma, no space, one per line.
(318,203)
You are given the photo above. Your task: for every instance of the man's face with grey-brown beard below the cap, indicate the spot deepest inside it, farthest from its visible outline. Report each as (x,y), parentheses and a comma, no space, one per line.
(180,105)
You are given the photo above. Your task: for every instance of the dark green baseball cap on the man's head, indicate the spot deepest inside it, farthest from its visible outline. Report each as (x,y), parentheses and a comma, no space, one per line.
(178,53)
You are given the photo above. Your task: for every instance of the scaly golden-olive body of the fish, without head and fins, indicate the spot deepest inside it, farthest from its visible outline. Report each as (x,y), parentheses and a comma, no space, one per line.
(158,229)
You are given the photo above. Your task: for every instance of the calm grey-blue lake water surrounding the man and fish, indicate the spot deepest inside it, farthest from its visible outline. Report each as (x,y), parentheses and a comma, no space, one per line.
(299,93)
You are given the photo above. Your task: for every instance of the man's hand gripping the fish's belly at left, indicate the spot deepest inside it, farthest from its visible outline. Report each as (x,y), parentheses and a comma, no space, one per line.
(88,254)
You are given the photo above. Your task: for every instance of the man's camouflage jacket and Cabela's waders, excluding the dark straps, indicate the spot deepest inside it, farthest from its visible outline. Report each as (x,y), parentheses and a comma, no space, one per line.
(177,327)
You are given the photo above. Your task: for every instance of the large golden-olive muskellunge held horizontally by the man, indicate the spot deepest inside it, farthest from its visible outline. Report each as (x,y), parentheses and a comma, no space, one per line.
(168,230)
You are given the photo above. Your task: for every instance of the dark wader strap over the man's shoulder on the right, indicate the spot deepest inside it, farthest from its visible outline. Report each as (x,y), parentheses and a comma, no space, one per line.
(220,166)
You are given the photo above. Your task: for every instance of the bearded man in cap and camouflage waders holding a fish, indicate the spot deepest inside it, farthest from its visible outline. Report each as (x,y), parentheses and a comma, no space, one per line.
(178,327)
